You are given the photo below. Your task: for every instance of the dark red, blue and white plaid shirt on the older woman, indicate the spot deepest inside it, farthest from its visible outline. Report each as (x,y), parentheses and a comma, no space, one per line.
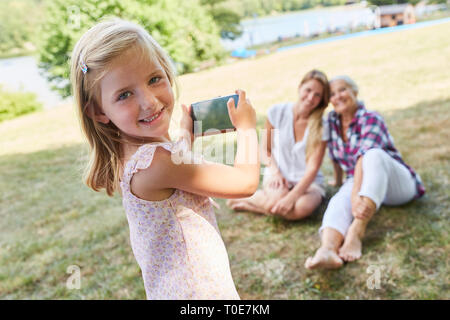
(367,130)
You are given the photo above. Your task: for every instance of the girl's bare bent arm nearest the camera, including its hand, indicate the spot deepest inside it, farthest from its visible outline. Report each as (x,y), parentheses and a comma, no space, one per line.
(208,178)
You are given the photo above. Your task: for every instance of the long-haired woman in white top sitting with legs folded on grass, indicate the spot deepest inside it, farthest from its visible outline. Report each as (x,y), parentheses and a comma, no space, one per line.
(292,183)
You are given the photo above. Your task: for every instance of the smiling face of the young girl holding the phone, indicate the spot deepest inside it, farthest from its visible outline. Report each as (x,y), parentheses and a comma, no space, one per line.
(136,96)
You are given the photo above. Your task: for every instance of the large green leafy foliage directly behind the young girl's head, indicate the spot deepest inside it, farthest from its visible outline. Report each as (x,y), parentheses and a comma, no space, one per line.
(183,28)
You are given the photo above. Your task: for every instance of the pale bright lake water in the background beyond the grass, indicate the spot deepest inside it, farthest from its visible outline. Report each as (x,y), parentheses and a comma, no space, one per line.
(23,74)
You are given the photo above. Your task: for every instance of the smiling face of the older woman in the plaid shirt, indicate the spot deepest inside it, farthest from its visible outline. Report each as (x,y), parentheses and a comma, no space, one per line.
(342,97)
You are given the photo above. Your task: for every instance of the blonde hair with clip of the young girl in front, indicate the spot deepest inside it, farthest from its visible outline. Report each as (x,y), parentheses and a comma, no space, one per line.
(91,58)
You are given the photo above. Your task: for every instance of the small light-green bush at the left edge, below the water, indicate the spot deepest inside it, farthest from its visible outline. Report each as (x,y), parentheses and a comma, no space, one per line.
(15,104)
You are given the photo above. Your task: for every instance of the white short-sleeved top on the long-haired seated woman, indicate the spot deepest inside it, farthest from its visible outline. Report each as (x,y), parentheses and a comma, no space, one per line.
(289,155)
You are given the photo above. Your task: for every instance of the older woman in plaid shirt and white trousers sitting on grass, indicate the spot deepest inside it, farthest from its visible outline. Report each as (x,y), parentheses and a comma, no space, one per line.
(360,144)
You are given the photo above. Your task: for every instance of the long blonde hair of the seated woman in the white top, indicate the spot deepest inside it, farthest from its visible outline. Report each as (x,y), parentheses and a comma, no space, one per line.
(315,118)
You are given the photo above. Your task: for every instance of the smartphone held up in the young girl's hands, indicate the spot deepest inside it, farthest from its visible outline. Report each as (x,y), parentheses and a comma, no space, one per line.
(211,116)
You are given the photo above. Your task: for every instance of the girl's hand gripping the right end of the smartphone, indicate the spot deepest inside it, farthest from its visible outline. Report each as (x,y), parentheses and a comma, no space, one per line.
(244,116)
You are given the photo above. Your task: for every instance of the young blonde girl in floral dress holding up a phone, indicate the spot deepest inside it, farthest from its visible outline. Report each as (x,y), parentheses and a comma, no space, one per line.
(122,82)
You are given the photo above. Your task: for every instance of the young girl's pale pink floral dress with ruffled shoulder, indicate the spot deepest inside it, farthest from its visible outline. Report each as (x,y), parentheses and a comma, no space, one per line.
(176,241)
